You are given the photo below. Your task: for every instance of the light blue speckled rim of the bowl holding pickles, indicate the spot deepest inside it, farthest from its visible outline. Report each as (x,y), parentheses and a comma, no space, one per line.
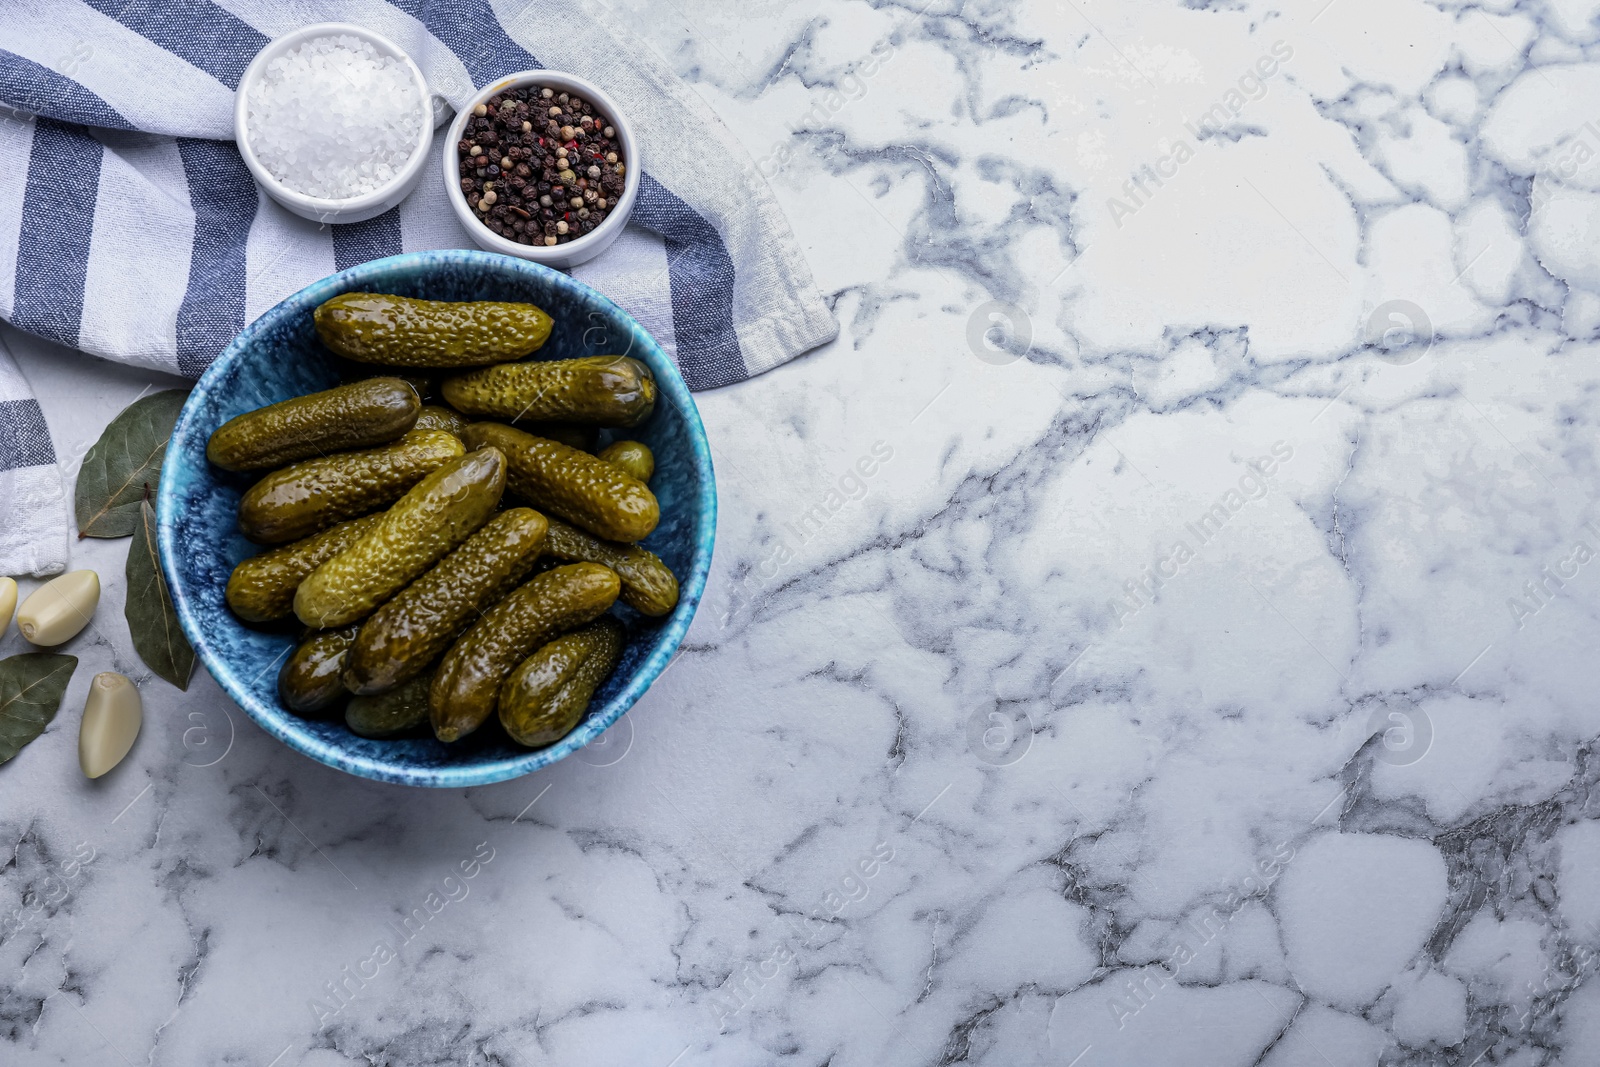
(287,727)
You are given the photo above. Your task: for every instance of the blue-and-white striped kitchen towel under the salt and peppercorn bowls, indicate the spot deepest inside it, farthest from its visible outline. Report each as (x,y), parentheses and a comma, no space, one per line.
(132,230)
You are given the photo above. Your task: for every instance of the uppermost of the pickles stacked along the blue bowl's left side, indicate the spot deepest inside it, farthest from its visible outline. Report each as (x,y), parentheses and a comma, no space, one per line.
(359,415)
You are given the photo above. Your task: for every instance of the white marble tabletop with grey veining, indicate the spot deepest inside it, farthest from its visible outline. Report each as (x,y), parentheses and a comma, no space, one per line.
(1159,631)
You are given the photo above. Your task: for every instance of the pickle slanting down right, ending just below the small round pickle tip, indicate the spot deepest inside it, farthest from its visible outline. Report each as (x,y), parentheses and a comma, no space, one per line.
(572,486)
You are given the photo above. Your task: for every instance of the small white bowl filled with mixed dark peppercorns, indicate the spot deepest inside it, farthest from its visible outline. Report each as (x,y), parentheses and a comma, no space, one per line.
(543,166)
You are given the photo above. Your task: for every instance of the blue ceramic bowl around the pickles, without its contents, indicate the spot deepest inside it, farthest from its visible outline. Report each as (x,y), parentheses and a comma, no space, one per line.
(279,358)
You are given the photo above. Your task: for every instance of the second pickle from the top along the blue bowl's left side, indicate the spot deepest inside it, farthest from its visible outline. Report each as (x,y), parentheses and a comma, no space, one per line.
(316,494)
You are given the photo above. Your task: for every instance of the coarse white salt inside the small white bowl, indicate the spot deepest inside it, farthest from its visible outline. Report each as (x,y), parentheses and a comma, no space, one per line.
(335,118)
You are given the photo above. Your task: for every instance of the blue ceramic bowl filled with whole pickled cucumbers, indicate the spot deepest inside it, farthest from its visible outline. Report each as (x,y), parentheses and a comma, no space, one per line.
(439,519)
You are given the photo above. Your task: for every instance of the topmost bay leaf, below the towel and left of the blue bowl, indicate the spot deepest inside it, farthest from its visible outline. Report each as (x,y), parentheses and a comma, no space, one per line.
(124,463)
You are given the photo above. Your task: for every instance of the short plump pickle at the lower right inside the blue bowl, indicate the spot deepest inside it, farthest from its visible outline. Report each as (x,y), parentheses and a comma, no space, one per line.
(550,692)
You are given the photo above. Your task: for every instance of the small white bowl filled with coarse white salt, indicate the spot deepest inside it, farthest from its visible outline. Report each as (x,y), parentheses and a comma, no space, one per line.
(335,122)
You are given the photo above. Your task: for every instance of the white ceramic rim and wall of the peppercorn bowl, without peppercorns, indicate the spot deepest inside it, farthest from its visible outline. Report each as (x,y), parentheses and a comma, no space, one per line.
(586,247)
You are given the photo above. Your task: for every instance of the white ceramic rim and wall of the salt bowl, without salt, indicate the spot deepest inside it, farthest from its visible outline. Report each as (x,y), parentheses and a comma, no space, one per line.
(322,209)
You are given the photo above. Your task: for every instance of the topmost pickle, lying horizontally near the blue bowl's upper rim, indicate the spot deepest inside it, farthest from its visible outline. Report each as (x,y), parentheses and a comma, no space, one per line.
(407,332)
